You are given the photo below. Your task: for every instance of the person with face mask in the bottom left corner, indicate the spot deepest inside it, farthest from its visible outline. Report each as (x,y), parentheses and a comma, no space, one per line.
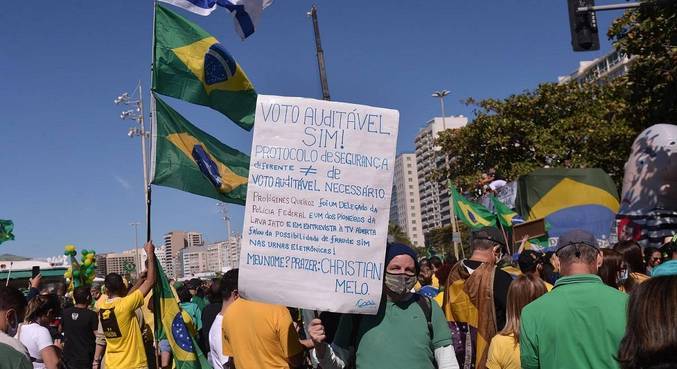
(12,308)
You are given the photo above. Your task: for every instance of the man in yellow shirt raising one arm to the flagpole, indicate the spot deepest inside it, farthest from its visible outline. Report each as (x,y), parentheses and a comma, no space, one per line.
(124,344)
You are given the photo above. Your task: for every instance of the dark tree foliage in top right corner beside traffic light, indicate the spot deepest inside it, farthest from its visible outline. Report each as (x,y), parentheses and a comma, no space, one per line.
(649,35)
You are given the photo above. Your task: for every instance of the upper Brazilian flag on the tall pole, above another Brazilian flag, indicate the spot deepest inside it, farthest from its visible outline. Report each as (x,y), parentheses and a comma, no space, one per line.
(190,64)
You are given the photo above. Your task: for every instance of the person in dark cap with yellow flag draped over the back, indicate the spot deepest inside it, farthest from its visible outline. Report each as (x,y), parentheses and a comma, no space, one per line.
(475,297)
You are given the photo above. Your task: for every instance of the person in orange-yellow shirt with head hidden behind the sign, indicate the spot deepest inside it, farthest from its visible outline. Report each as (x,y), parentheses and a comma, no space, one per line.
(258,335)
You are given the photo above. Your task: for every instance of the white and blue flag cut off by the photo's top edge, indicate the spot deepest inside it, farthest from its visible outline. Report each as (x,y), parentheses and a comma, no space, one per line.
(245,13)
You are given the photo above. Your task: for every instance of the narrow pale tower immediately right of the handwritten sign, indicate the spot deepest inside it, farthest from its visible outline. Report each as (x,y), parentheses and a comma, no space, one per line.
(405,204)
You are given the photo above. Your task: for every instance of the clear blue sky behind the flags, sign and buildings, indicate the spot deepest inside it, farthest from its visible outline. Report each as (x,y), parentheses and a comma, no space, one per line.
(70,174)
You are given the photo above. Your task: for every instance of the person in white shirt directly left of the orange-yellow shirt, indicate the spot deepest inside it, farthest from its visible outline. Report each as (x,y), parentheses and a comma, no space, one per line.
(229,292)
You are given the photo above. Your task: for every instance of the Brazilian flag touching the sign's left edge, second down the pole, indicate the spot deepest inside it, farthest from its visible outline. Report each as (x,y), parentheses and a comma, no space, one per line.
(188,159)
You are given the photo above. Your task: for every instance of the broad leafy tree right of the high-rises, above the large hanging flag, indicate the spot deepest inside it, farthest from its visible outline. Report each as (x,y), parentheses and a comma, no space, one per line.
(570,125)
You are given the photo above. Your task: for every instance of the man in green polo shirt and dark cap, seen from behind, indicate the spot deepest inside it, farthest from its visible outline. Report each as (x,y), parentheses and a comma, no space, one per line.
(580,323)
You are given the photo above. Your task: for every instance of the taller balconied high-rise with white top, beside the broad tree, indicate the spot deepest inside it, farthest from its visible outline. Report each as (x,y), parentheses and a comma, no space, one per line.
(434,196)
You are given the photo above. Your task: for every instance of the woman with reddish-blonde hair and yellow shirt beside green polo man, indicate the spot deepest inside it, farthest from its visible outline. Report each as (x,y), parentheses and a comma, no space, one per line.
(504,352)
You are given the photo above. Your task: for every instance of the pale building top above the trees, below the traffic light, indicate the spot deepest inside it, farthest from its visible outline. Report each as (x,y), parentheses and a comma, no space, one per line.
(601,70)
